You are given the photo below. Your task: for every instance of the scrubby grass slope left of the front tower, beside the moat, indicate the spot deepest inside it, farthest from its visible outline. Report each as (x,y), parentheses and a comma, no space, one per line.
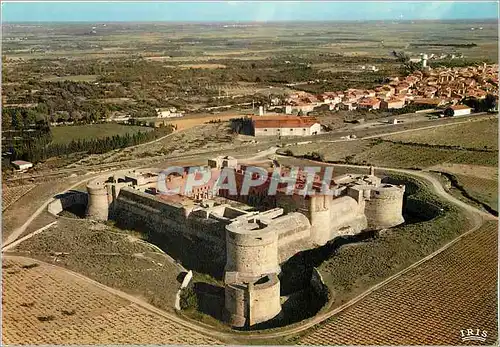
(109,256)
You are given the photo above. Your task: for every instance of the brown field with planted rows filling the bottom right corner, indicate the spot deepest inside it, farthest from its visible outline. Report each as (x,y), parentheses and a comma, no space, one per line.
(428,305)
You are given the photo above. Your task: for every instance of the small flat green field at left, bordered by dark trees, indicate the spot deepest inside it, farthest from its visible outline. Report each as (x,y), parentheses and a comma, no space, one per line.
(65,134)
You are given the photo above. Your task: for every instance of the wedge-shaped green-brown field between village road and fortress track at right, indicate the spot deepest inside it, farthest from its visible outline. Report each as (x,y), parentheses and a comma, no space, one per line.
(471,143)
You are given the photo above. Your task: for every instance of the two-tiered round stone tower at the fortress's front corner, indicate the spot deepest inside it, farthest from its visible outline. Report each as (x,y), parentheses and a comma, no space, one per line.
(252,287)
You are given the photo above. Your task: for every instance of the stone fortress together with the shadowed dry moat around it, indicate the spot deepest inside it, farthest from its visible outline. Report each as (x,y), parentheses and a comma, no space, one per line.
(255,257)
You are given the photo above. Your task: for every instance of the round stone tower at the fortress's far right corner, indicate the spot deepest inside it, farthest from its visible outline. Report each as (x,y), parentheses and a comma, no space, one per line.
(384,208)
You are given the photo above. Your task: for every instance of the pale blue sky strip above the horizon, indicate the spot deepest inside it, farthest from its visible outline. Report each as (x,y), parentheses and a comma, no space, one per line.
(212,11)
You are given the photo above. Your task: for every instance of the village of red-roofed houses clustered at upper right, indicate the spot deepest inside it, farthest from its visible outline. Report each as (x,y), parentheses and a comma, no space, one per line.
(429,87)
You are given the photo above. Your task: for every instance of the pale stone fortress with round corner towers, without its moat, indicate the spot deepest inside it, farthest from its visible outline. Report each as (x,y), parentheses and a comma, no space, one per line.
(252,244)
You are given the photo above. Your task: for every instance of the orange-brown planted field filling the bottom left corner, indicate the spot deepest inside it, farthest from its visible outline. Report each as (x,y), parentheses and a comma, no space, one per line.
(48,305)
